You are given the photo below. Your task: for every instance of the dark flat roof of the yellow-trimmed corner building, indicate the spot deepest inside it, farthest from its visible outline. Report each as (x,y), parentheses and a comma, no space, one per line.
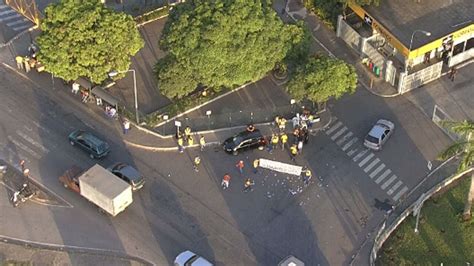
(440,17)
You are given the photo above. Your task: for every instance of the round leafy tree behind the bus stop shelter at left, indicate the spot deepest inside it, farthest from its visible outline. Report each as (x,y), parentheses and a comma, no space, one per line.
(84,38)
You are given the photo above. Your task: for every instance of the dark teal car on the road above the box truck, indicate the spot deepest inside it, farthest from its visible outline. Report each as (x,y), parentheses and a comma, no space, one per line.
(96,147)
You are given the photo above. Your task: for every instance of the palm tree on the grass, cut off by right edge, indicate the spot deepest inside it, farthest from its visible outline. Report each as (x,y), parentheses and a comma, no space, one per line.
(465,147)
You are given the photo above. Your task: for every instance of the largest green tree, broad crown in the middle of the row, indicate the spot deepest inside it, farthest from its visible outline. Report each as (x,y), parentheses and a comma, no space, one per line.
(221,43)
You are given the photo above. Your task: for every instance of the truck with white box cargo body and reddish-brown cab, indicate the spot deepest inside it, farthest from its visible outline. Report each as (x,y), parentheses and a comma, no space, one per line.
(101,187)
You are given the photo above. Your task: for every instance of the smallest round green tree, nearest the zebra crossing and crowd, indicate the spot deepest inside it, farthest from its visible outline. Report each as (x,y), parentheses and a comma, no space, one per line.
(322,78)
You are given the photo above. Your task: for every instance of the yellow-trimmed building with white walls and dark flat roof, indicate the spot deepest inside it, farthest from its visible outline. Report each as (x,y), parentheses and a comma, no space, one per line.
(409,43)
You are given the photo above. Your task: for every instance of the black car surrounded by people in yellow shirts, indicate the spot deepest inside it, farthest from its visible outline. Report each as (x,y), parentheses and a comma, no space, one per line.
(243,141)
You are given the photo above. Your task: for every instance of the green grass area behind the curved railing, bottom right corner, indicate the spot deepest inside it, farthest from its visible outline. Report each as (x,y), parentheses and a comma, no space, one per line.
(442,237)
